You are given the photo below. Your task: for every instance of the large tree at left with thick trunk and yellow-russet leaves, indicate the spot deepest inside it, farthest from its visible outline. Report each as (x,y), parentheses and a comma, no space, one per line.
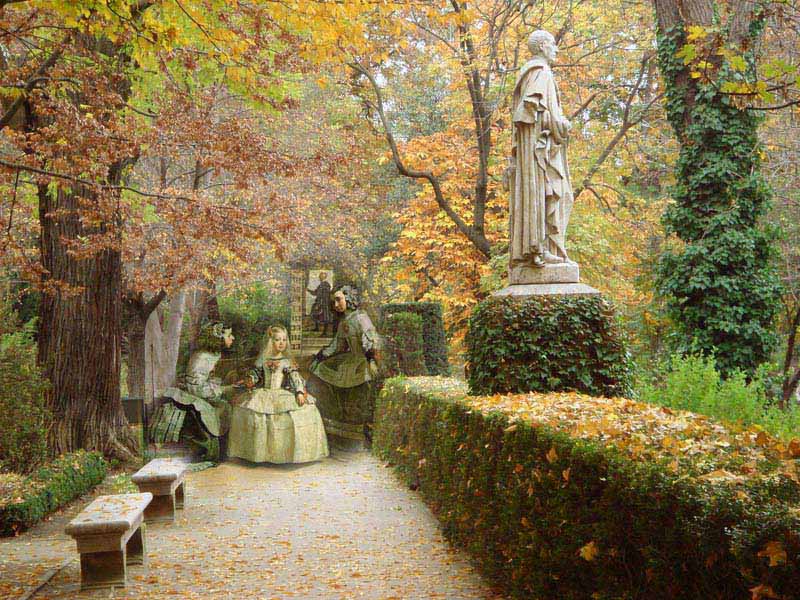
(81,123)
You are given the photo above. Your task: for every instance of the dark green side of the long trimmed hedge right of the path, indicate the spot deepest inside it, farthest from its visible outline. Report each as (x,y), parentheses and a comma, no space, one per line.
(546,515)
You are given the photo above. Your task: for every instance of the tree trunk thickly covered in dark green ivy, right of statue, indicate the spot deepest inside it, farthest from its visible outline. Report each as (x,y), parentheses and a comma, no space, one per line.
(719,279)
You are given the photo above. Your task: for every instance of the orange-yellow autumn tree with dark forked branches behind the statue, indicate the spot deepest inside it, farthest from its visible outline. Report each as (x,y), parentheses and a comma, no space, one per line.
(469,54)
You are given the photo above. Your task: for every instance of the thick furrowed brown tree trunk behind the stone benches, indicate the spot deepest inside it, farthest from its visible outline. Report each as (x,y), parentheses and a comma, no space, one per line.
(80,334)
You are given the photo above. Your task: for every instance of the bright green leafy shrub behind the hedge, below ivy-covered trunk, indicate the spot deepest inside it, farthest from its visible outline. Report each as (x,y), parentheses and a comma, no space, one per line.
(694,383)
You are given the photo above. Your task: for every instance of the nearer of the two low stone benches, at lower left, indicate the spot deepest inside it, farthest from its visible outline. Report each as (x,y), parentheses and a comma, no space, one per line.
(110,534)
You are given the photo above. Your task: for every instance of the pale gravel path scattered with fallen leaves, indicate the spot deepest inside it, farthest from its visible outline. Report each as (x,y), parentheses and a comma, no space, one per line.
(341,528)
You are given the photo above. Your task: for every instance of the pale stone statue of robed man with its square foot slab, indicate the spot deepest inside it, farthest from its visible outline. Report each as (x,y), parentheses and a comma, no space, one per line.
(538,176)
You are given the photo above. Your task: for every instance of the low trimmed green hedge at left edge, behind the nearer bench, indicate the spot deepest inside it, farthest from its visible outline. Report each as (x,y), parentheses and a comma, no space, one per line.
(30,499)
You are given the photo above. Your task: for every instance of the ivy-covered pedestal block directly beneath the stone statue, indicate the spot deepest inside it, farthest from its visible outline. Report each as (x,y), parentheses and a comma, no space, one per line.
(546,343)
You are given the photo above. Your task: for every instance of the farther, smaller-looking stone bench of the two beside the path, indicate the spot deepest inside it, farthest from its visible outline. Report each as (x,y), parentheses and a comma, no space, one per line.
(164,478)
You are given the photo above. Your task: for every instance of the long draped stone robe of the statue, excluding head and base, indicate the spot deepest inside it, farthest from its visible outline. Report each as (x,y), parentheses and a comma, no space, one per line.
(541,193)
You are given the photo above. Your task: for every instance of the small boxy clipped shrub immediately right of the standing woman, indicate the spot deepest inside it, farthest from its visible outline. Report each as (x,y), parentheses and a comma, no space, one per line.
(404,346)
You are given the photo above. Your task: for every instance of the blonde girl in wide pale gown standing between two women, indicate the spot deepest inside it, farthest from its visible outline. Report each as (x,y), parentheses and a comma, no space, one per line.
(276,420)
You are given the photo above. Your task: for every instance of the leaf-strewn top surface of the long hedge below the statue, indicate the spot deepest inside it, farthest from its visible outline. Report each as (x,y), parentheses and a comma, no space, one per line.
(690,445)
